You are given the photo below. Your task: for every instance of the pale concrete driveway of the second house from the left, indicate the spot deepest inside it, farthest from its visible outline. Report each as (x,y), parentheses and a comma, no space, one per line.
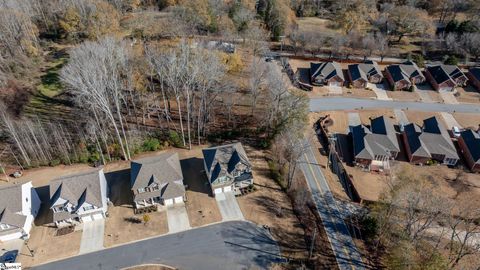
(92,236)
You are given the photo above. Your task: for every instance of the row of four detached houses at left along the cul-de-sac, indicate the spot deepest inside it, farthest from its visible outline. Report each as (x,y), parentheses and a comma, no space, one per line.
(154,181)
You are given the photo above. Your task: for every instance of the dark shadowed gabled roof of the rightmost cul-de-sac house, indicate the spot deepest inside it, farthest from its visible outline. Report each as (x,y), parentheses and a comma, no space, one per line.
(222,160)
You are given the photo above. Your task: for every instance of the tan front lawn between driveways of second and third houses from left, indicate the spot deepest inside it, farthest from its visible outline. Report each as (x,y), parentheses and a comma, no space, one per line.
(119,230)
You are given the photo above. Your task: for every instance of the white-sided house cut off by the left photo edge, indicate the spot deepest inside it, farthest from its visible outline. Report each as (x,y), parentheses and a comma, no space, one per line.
(19,205)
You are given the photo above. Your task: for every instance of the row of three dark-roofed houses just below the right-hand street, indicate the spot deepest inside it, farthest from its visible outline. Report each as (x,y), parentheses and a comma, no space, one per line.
(374,146)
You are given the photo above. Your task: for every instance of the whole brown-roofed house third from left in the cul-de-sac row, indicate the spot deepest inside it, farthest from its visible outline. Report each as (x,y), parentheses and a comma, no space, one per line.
(157,180)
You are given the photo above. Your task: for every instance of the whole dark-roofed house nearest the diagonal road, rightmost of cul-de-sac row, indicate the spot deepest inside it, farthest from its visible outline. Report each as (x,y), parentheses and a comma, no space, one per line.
(227,168)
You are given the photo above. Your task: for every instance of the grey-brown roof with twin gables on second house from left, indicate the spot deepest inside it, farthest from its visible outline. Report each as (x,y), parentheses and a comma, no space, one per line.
(78,188)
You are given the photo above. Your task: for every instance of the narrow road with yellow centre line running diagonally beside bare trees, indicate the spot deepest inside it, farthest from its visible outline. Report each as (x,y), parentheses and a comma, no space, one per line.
(346,253)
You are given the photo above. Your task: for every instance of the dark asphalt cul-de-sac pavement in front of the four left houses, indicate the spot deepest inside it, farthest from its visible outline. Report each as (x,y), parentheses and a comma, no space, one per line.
(228,245)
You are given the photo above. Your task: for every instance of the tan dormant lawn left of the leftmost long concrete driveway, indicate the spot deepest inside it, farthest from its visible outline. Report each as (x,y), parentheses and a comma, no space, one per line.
(48,247)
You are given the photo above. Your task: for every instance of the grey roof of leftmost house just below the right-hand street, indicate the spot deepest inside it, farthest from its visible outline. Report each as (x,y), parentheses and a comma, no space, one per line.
(380,140)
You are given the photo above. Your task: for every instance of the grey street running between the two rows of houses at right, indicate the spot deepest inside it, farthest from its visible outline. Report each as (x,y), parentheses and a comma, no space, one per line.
(346,103)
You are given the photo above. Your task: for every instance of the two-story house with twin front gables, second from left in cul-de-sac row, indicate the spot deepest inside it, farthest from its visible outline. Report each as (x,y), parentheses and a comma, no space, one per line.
(79,198)
